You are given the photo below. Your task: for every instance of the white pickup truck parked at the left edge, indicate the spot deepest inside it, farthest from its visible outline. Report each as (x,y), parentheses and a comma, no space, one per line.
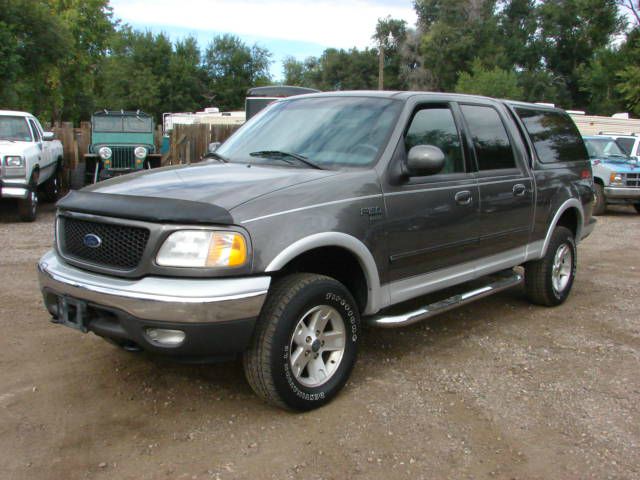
(31,161)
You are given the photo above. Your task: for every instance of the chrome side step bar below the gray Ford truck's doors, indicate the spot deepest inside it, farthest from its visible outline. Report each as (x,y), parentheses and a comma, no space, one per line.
(422,313)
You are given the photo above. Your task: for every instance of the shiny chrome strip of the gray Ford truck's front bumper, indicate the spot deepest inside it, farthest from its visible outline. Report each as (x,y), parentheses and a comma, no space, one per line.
(175,300)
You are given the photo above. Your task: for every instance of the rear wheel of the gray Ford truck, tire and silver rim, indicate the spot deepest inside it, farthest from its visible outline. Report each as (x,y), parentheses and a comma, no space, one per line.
(548,282)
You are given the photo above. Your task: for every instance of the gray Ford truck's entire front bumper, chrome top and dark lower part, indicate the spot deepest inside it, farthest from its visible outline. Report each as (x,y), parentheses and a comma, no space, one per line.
(216,315)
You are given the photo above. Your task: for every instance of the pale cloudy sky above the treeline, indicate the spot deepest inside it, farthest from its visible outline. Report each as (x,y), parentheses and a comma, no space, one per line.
(300,28)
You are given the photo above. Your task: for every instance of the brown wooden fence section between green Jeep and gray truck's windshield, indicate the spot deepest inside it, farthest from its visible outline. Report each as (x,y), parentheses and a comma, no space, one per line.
(189,143)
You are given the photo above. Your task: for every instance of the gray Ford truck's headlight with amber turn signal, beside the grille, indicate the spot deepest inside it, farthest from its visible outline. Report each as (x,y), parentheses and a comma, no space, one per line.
(202,248)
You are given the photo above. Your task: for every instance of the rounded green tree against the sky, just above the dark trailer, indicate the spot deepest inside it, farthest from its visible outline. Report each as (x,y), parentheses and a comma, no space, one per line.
(232,68)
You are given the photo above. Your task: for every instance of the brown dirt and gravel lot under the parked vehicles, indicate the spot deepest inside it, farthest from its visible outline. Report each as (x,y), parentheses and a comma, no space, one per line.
(498,389)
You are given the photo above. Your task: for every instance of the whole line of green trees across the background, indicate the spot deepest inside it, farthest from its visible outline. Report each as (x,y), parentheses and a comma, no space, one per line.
(64,59)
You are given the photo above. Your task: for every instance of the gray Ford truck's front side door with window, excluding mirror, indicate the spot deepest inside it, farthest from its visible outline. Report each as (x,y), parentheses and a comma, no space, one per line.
(434,219)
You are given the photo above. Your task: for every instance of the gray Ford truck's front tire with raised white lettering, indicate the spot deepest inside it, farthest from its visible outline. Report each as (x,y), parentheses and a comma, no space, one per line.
(267,363)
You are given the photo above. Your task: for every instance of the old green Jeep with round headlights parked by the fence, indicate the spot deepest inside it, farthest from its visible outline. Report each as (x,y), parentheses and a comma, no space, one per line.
(121,142)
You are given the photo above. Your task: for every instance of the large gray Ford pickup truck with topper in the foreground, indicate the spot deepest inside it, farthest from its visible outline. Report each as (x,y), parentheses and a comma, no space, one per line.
(323,212)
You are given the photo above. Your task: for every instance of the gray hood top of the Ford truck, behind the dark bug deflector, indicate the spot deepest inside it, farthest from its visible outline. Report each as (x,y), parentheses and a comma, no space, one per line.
(226,185)
